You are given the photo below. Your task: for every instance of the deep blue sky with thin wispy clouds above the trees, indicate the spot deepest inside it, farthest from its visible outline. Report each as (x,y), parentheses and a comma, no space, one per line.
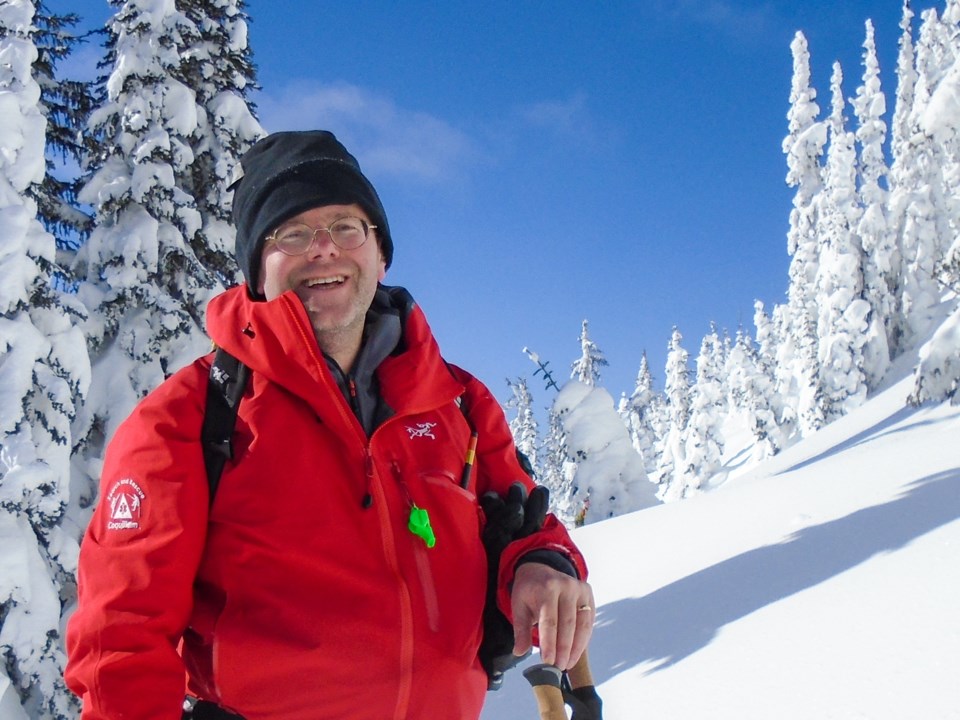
(545,162)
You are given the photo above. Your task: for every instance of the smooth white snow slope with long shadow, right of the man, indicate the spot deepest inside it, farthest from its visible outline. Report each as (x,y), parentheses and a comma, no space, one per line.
(823,583)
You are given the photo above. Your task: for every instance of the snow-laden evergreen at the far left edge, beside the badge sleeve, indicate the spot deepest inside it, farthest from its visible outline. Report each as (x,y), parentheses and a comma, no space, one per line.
(43,373)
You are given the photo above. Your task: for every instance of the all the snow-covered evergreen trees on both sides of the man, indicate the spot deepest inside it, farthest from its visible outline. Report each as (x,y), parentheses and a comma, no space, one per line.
(105,272)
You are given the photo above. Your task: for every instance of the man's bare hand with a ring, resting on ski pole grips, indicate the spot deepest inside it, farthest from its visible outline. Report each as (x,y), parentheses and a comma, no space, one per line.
(562,609)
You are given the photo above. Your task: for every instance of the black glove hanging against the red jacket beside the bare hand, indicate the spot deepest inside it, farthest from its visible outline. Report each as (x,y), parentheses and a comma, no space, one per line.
(508,519)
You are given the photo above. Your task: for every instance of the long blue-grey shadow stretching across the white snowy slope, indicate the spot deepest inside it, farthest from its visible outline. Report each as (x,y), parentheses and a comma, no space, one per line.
(669,624)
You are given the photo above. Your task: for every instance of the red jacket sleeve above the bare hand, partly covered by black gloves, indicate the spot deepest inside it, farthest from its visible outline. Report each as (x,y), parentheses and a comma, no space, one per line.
(498,468)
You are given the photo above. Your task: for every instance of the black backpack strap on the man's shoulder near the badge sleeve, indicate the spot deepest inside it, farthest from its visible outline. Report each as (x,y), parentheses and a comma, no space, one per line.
(228,380)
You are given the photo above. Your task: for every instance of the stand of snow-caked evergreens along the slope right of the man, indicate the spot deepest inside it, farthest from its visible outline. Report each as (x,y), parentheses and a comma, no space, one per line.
(874,242)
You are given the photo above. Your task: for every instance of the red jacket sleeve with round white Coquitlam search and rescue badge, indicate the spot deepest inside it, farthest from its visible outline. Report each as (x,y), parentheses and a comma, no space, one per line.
(139,557)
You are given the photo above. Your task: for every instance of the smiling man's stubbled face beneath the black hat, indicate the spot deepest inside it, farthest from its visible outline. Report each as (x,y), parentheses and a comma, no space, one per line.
(336,286)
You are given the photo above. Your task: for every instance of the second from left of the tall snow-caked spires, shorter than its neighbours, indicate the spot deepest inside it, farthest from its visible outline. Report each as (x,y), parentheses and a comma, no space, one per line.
(844,315)
